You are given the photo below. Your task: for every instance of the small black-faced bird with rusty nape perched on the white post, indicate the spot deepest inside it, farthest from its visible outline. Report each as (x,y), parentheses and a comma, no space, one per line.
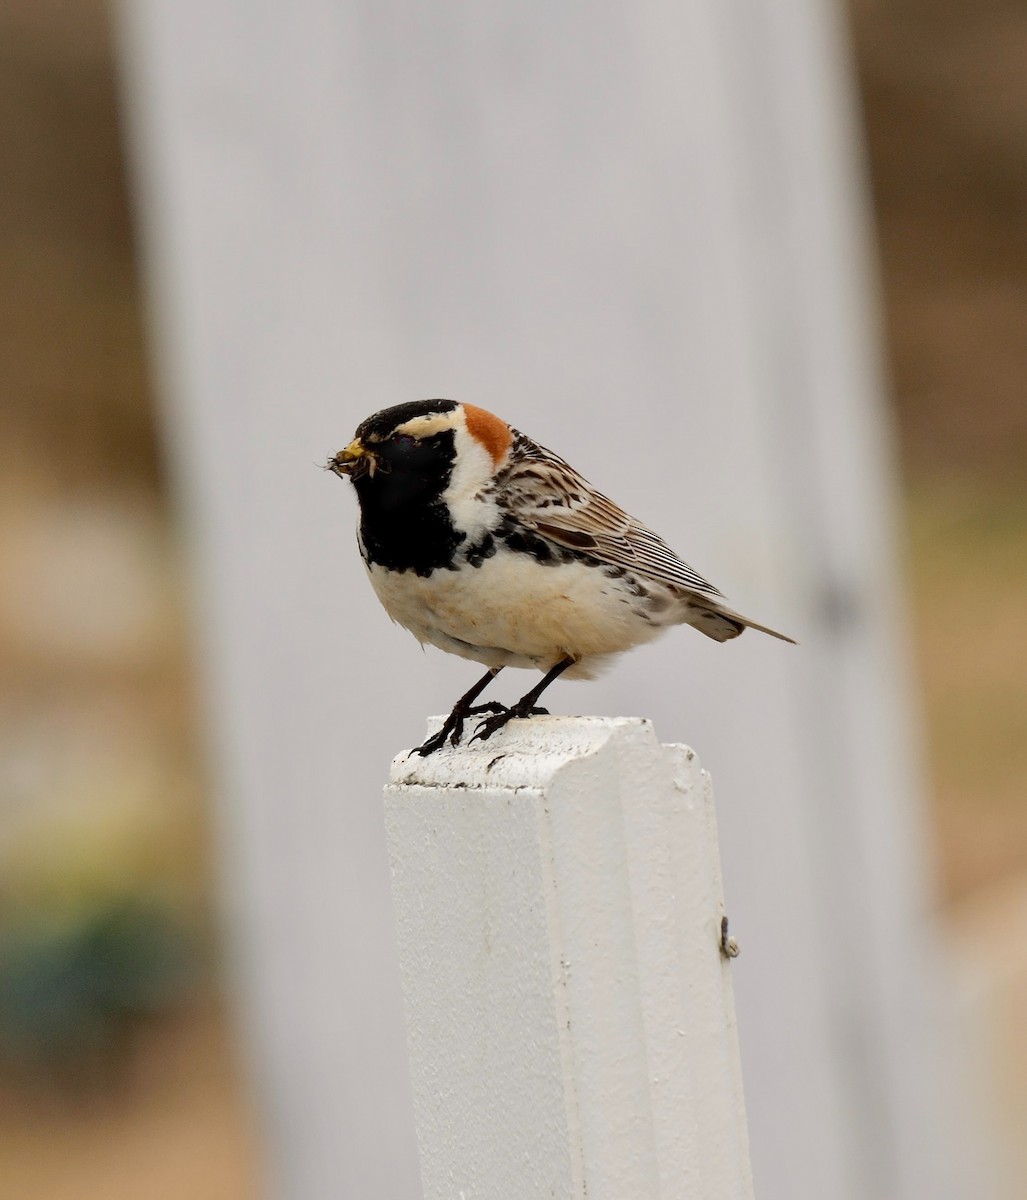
(485,544)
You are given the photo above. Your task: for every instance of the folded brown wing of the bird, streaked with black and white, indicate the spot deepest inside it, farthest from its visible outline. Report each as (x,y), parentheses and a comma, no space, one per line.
(546,495)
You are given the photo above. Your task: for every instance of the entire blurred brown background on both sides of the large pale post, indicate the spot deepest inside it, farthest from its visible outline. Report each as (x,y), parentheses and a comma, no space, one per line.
(117,1069)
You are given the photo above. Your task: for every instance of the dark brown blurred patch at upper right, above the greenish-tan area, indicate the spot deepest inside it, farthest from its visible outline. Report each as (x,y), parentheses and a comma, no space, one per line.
(945,89)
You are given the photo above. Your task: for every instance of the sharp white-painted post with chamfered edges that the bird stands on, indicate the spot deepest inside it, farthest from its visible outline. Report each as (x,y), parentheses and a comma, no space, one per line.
(569,1005)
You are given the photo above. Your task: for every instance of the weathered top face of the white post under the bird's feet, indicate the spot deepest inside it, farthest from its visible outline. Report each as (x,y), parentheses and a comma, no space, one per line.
(524,754)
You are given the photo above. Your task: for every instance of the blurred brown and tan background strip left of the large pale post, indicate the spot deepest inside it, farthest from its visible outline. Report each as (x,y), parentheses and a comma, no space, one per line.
(100,787)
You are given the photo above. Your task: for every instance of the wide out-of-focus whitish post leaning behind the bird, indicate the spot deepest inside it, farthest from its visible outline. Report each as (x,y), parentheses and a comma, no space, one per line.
(635,231)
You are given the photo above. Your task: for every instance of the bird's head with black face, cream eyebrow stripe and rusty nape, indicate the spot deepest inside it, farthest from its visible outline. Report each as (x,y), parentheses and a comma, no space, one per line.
(417,452)
